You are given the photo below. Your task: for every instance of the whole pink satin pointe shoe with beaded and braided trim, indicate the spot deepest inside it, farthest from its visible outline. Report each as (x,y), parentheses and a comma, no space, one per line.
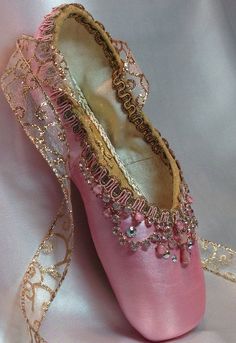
(137,202)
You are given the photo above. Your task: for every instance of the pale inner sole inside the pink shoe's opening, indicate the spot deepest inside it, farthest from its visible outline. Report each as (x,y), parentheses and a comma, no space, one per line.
(93,76)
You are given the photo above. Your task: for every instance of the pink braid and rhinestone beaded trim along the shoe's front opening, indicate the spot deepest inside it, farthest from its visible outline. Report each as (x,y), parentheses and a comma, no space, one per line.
(166,231)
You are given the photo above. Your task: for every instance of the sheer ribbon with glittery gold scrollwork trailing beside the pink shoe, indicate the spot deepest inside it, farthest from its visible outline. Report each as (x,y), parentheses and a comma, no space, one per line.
(42,124)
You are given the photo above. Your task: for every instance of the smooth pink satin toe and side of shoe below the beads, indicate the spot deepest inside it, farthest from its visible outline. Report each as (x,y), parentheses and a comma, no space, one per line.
(161,299)
